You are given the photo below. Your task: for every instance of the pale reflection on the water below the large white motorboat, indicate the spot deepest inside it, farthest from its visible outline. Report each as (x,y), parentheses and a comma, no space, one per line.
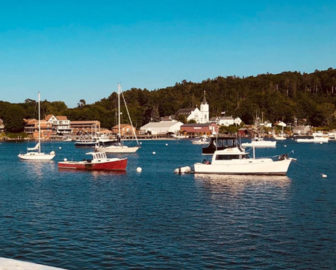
(235,184)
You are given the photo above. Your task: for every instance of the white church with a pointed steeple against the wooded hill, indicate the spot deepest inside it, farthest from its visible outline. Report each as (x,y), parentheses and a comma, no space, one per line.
(200,116)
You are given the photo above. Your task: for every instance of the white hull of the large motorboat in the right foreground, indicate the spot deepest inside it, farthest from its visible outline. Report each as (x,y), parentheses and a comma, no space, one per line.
(263,166)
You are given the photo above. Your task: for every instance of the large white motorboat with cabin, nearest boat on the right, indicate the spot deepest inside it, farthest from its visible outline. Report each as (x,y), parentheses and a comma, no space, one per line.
(234,160)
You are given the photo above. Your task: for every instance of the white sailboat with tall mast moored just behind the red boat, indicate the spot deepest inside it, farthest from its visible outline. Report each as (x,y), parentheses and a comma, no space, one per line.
(118,147)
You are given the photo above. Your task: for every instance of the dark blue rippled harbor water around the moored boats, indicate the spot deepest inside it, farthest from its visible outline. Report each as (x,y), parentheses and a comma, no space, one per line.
(90,220)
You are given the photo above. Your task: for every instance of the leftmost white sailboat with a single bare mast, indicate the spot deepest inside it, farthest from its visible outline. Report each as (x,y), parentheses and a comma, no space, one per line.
(35,153)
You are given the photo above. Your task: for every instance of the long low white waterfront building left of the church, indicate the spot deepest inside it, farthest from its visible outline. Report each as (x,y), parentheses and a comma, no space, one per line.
(162,127)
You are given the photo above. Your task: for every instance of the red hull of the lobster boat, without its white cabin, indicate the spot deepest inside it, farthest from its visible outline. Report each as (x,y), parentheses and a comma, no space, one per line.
(115,164)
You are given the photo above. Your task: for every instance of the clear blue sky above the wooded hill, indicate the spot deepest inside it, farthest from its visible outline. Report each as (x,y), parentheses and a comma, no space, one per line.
(70,50)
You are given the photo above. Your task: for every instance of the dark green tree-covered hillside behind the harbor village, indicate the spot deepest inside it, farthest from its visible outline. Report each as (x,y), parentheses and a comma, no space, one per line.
(283,96)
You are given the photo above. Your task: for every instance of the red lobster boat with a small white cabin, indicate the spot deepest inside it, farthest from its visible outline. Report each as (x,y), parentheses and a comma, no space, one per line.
(99,162)
